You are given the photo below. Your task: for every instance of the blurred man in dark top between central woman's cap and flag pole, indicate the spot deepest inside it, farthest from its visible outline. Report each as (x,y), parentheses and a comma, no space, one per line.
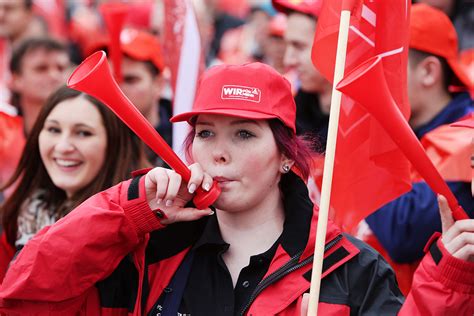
(313,98)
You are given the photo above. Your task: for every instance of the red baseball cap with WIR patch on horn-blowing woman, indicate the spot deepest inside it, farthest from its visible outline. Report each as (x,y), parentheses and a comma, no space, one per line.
(253,91)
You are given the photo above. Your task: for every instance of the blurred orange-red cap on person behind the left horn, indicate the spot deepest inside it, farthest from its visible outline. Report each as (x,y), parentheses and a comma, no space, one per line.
(143,46)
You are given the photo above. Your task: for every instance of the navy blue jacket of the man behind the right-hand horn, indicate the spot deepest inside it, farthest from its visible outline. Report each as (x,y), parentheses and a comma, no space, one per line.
(404,225)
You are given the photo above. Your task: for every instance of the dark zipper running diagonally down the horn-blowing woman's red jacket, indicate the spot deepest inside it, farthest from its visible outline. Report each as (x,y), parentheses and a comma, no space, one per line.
(290,266)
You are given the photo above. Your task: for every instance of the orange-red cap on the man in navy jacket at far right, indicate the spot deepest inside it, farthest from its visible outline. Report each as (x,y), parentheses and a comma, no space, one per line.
(432,31)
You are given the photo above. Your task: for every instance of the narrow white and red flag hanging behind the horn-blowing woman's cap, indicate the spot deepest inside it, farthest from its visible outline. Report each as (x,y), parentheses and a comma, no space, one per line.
(182,48)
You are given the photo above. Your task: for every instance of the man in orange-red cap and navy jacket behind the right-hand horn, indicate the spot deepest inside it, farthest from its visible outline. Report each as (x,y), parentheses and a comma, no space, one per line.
(404,225)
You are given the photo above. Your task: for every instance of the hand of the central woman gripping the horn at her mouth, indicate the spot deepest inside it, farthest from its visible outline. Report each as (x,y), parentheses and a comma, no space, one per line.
(167,192)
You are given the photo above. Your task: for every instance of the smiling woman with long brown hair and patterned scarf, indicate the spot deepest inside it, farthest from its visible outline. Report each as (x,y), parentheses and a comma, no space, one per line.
(77,147)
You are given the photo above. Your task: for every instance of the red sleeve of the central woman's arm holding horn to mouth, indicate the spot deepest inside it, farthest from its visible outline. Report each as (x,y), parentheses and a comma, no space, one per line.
(63,262)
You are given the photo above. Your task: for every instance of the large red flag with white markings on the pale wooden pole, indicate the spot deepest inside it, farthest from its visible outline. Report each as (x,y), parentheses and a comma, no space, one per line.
(369,168)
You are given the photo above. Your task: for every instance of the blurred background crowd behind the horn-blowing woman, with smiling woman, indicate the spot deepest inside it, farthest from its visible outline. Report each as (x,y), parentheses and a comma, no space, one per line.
(59,146)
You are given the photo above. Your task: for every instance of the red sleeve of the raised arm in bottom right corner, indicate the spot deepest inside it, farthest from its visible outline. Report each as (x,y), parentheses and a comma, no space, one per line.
(442,285)
